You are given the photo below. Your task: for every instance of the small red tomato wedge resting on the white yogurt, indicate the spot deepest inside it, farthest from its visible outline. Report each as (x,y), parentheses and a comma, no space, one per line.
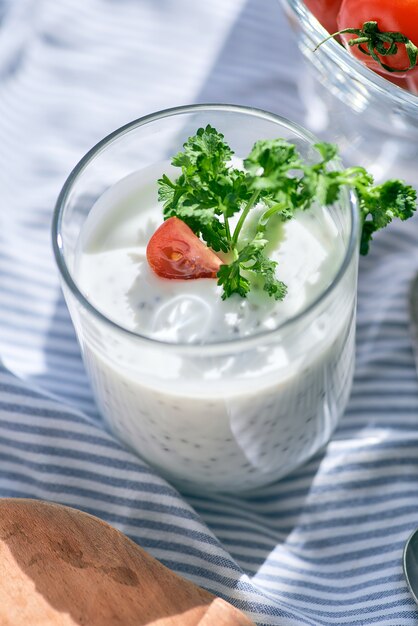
(174,251)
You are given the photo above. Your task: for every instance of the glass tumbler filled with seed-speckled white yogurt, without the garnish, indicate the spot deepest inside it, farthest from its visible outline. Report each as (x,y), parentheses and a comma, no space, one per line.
(217,395)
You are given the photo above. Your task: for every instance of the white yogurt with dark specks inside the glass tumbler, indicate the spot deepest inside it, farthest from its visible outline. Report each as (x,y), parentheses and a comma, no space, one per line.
(242,415)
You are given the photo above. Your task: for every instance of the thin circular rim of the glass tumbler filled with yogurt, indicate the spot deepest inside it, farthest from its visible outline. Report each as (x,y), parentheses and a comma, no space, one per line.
(57,241)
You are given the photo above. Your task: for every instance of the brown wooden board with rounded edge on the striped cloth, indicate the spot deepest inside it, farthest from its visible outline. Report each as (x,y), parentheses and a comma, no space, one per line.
(62,567)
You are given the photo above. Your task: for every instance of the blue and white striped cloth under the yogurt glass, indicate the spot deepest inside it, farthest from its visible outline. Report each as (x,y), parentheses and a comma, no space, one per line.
(324,545)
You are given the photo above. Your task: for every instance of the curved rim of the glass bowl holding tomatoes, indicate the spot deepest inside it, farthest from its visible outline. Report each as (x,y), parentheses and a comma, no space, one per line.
(347,62)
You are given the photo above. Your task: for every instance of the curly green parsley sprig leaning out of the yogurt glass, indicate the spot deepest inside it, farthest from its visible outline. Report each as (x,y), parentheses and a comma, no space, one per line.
(210,191)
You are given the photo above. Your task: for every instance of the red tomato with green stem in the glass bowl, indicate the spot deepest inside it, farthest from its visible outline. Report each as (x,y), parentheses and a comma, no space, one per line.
(391,15)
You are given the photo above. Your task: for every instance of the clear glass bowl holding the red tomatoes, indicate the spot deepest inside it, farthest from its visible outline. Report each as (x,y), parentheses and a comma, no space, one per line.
(374,121)
